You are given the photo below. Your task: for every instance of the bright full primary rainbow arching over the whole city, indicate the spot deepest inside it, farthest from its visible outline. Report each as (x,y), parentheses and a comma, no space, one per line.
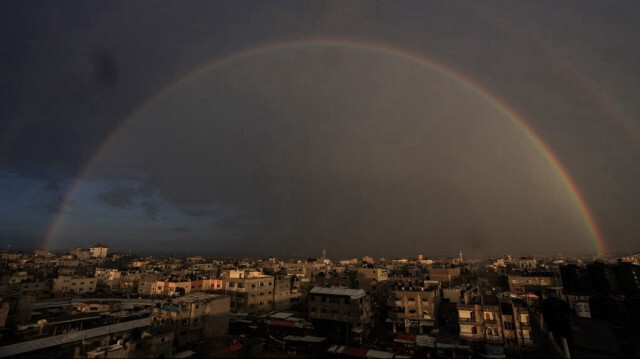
(460,79)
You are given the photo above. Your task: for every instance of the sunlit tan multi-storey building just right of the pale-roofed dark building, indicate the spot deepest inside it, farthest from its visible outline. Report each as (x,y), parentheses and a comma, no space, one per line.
(413,305)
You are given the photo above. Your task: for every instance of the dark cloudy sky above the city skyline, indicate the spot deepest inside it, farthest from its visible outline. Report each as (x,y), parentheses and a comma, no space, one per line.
(284,128)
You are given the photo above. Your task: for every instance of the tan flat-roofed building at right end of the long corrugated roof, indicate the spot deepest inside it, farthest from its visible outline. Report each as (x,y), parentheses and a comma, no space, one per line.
(194,316)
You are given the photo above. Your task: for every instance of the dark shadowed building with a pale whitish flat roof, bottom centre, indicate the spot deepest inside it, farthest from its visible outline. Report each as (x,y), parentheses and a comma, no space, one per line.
(342,313)
